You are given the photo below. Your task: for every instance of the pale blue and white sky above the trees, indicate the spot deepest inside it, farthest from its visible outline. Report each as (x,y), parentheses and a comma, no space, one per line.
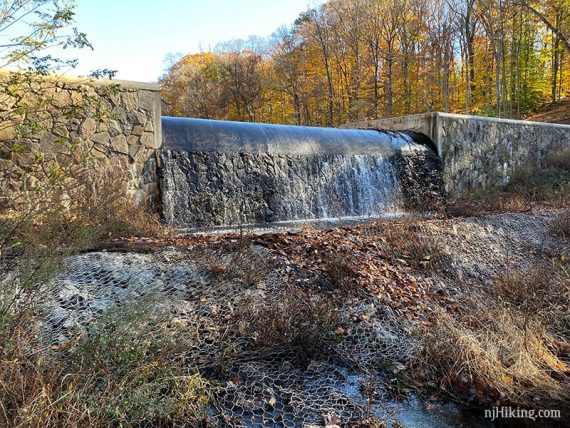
(134,36)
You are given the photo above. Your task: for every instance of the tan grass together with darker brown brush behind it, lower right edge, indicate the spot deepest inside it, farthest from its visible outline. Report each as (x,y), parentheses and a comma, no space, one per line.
(504,345)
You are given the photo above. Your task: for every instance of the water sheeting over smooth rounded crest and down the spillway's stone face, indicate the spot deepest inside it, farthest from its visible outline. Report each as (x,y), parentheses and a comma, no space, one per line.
(221,173)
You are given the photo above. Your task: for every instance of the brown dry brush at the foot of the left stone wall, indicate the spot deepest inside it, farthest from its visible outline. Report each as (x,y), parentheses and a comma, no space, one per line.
(36,241)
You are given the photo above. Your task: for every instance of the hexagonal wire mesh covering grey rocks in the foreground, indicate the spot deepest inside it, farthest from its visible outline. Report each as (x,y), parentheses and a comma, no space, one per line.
(206,293)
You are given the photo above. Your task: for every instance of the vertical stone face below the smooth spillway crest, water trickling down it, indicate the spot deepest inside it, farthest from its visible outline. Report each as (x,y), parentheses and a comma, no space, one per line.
(205,189)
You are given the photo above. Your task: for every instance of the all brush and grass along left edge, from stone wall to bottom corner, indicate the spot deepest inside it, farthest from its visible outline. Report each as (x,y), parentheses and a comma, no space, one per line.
(114,376)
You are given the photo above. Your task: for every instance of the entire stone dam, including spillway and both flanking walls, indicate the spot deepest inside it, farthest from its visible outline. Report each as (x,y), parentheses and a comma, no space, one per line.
(200,174)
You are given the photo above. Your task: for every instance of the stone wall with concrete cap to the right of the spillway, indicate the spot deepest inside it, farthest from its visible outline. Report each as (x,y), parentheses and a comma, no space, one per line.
(479,152)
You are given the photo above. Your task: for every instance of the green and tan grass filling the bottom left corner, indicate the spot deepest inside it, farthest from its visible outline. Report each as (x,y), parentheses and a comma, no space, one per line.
(125,372)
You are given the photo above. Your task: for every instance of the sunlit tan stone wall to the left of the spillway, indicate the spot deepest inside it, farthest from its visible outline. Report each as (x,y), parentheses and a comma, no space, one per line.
(50,121)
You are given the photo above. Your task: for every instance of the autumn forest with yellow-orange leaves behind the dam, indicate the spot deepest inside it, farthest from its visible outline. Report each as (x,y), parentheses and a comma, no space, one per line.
(351,60)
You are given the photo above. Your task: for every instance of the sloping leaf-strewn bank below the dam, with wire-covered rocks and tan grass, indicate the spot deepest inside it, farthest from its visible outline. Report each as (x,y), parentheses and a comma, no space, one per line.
(388,323)
